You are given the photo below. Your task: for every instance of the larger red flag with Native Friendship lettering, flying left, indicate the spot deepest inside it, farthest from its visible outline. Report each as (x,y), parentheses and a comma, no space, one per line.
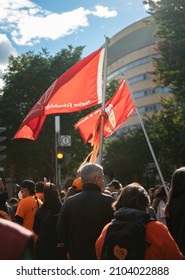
(77,89)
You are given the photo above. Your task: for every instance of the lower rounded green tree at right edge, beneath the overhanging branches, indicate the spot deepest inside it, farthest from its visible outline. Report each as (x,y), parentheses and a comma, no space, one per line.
(167,130)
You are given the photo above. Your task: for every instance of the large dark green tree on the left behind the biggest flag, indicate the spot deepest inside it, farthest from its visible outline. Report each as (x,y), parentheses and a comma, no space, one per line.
(28,76)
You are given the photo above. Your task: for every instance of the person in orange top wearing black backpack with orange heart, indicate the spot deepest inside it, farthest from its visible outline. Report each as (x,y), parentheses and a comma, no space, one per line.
(132,234)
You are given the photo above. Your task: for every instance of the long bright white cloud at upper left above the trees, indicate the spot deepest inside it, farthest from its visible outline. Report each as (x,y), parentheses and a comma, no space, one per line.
(53,26)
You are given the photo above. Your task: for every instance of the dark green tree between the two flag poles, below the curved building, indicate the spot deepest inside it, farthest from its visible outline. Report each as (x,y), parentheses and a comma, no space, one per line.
(127,157)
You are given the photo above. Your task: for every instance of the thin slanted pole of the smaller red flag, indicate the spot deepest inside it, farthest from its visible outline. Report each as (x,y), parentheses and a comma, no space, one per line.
(148,142)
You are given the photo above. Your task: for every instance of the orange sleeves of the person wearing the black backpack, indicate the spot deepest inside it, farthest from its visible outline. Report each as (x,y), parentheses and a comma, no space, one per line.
(162,245)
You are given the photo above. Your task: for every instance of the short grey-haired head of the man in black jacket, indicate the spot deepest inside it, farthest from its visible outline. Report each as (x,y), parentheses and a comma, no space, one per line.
(92,173)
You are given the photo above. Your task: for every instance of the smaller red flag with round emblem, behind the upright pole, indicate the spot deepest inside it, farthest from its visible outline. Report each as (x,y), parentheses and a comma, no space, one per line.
(118,109)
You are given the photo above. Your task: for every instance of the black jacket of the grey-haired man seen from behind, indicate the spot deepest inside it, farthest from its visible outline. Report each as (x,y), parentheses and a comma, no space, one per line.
(82,219)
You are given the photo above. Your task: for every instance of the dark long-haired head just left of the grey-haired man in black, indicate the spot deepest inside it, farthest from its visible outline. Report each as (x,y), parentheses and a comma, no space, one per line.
(51,196)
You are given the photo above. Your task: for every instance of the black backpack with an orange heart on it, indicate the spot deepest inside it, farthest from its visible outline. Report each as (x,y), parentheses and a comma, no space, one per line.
(126,239)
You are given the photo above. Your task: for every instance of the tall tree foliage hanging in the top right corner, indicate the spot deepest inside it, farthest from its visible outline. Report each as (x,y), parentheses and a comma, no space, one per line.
(169,18)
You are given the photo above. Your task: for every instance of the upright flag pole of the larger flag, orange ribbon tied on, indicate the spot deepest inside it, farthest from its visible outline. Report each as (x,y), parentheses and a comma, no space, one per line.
(103,102)
